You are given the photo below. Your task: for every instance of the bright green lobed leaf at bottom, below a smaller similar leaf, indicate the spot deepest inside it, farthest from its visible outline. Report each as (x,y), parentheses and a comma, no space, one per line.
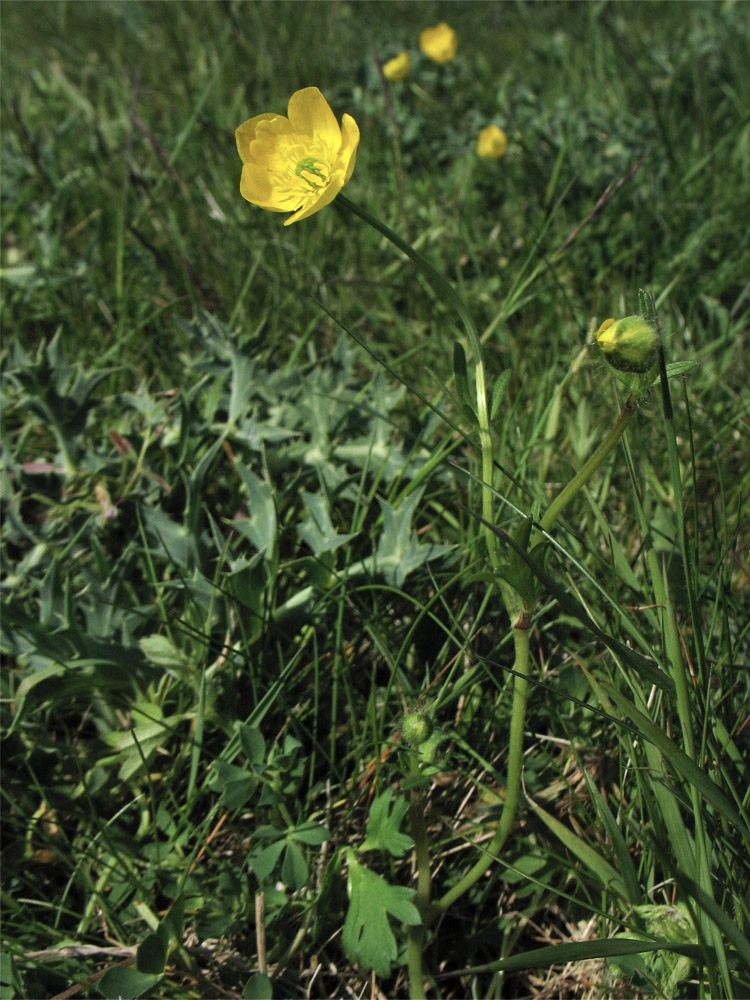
(368,937)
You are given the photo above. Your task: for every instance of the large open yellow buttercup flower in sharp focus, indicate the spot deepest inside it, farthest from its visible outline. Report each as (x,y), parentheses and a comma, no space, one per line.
(300,163)
